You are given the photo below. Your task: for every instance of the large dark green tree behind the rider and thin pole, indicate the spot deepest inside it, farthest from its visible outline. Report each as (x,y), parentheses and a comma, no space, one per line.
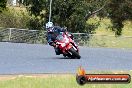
(70,13)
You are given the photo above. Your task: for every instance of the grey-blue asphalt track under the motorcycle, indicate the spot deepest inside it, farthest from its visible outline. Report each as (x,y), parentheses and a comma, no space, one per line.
(18,58)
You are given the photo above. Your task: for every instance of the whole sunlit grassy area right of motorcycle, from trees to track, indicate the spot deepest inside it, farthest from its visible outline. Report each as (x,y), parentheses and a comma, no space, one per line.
(102,38)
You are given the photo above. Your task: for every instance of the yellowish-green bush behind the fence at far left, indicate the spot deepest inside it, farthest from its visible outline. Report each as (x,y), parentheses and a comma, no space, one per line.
(14,19)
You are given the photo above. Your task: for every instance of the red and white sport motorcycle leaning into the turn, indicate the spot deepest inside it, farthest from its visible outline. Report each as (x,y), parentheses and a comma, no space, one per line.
(67,46)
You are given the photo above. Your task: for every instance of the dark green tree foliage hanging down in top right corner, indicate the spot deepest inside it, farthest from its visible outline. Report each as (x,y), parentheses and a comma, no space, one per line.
(118,11)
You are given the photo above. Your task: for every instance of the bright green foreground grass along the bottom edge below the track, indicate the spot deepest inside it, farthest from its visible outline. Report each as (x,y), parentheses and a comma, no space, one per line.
(53,81)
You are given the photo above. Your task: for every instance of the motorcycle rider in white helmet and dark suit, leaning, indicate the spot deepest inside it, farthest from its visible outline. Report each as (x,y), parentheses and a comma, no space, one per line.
(52,33)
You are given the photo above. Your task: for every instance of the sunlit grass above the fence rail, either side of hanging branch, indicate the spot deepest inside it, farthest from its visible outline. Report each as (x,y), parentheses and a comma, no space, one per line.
(105,27)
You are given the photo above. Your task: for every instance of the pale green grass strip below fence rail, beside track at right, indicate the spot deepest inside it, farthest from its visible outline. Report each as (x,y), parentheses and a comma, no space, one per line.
(110,41)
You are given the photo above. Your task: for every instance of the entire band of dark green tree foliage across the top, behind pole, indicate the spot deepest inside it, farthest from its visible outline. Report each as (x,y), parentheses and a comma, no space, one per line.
(74,13)
